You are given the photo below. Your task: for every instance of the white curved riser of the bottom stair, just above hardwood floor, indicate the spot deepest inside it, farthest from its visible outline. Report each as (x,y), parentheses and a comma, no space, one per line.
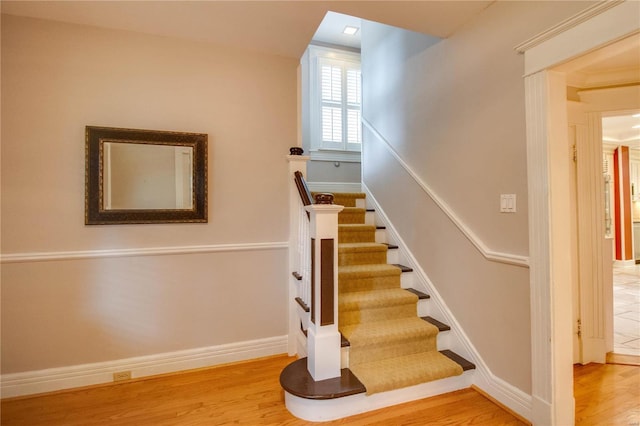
(315,410)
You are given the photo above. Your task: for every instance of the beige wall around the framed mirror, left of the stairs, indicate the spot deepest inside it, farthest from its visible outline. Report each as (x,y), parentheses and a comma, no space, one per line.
(58,78)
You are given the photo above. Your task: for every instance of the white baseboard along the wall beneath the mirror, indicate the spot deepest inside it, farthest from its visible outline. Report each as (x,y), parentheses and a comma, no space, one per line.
(53,379)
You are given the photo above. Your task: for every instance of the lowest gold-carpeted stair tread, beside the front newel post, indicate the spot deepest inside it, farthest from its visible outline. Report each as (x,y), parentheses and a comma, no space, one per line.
(394,373)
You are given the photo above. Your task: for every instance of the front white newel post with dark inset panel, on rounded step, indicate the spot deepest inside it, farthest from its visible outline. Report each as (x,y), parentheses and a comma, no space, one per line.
(323,337)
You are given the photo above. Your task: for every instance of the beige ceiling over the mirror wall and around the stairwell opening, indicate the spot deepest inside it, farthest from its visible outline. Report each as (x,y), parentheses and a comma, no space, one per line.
(277,27)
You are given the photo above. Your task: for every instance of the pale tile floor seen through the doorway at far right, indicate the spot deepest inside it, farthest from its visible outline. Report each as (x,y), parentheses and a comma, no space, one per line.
(626,310)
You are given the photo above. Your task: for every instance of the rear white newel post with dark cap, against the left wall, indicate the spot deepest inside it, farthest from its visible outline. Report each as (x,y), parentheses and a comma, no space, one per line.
(297,229)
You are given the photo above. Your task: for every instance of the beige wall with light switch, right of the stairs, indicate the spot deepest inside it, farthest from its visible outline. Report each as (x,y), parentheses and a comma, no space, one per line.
(453,110)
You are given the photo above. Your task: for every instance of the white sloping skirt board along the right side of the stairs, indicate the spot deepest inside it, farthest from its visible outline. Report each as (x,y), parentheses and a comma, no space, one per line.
(482,377)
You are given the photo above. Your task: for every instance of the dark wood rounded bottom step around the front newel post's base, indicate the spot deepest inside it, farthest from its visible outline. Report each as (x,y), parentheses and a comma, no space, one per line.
(296,380)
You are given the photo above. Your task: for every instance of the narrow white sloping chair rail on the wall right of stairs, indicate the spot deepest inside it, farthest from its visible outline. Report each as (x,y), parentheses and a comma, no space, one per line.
(491,255)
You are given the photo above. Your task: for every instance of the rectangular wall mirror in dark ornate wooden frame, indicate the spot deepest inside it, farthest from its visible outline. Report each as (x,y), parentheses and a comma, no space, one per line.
(144,176)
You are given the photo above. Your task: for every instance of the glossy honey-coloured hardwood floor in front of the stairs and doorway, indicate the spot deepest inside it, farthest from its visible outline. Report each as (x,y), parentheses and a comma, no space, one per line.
(250,394)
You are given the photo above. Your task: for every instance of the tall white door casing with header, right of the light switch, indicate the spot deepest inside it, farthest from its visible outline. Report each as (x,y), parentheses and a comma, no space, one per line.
(548,187)
